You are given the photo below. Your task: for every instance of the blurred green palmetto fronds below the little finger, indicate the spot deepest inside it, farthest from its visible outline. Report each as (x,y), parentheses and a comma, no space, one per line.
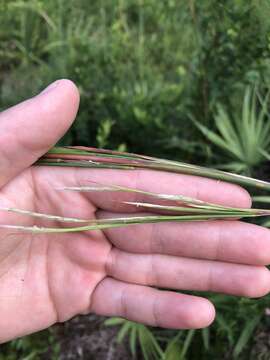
(233,328)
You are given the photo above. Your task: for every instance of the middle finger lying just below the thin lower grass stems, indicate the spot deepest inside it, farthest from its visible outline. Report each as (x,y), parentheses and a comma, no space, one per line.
(229,241)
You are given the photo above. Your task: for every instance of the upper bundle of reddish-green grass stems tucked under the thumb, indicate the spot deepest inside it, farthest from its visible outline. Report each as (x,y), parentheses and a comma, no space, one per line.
(97,158)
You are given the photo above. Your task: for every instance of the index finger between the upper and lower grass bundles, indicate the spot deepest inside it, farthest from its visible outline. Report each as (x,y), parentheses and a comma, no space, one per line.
(154,181)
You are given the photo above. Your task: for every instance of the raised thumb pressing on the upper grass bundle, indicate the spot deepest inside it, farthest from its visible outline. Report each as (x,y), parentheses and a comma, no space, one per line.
(30,129)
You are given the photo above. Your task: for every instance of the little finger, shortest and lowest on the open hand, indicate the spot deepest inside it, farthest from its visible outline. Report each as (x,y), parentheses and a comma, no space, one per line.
(150,306)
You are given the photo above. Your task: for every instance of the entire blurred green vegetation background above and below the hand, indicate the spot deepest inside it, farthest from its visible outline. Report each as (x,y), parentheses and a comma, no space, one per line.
(185,80)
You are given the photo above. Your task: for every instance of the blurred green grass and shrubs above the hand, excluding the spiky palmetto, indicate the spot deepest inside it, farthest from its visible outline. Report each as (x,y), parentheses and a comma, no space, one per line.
(140,65)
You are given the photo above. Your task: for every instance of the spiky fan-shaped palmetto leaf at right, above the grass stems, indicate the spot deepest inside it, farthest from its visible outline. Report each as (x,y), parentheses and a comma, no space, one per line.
(244,137)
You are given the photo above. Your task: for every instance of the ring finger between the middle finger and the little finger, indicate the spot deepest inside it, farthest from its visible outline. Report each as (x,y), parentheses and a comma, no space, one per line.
(189,274)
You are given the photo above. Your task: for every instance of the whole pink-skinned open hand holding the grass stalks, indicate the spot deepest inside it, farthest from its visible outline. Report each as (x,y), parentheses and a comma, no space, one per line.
(45,279)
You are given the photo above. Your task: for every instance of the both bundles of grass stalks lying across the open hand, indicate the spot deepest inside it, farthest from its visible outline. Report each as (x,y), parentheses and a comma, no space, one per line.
(180,208)
